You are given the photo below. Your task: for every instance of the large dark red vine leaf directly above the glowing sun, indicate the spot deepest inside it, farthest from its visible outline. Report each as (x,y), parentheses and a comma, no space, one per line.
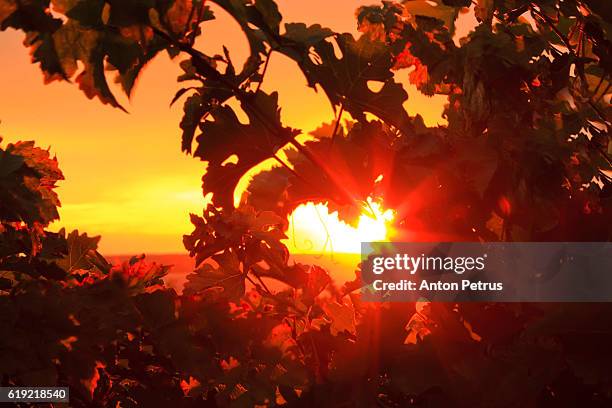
(353,162)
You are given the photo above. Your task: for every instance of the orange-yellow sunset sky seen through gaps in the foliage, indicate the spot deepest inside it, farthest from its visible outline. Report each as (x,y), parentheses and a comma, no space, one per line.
(126,178)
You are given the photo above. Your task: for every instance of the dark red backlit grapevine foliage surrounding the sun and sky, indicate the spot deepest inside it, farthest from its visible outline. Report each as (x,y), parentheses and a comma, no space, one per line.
(525,156)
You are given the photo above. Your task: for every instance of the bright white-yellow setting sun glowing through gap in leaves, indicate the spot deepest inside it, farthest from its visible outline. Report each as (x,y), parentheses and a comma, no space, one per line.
(314,230)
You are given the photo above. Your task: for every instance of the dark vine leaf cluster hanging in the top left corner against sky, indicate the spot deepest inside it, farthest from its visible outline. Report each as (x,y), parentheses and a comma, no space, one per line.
(100,36)
